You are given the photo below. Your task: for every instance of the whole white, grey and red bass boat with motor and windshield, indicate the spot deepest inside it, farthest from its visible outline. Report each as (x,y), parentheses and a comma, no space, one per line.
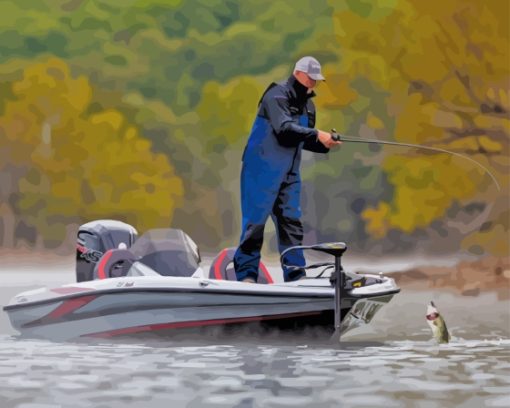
(154,284)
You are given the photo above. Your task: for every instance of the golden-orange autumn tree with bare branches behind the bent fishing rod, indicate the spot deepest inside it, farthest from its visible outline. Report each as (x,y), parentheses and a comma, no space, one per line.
(428,58)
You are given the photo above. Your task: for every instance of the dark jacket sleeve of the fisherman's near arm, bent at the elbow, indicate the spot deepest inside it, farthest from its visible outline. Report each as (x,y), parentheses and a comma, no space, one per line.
(277,110)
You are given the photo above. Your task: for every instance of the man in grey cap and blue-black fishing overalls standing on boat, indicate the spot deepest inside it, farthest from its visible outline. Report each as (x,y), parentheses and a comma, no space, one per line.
(270,180)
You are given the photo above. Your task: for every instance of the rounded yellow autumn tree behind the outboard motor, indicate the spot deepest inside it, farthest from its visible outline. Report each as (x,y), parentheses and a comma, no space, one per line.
(78,167)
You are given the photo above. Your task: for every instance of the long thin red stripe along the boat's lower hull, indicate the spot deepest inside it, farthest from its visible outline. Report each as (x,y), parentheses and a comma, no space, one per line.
(196,323)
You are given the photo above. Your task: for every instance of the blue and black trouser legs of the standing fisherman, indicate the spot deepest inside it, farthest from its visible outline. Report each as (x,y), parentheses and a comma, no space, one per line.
(260,197)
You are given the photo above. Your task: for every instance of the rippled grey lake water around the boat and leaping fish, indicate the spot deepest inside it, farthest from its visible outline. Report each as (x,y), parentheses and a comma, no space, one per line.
(392,363)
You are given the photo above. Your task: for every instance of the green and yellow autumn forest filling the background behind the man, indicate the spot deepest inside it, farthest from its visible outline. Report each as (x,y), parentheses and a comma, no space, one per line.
(145,111)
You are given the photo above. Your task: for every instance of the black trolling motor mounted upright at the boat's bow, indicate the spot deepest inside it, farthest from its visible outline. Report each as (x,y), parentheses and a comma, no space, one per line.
(337,278)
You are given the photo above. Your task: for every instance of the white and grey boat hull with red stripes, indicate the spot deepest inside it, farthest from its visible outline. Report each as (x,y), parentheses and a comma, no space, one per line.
(146,304)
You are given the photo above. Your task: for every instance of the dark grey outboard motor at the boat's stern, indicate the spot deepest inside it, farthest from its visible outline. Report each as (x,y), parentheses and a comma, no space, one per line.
(97,237)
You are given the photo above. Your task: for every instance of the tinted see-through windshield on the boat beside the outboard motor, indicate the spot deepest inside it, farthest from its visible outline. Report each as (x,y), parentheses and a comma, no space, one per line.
(170,252)
